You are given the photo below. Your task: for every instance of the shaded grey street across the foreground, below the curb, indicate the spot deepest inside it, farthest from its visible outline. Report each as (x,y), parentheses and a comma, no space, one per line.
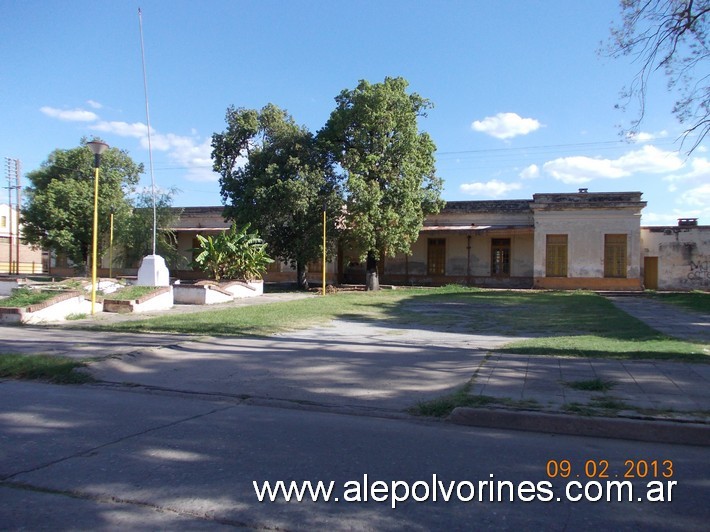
(81,457)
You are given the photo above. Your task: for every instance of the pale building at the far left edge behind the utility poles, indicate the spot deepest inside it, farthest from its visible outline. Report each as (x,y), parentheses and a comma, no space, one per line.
(16,257)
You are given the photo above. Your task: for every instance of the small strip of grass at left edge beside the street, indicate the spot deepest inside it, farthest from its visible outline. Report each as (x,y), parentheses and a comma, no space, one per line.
(42,367)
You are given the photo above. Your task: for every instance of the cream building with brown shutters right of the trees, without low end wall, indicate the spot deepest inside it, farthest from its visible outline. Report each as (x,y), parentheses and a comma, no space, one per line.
(558,241)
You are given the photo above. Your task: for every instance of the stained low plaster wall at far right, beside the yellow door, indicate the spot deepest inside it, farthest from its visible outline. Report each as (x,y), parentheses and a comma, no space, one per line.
(683,256)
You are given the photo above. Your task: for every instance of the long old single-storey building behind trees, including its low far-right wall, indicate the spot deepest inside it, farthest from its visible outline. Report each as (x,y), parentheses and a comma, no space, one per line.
(582,240)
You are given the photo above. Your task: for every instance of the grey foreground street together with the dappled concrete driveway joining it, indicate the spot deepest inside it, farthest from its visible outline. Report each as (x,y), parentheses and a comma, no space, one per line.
(180,428)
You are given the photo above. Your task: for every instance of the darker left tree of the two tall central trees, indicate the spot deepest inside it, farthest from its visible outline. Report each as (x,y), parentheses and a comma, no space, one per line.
(274,177)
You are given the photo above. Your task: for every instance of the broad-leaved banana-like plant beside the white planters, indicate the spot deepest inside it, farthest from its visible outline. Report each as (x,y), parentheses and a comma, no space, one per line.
(233,254)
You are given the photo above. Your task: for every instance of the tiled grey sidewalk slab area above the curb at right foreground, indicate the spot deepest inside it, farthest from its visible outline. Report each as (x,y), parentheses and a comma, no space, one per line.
(644,389)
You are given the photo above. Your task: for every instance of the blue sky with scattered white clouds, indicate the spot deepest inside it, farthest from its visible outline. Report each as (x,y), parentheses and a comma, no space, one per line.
(524,103)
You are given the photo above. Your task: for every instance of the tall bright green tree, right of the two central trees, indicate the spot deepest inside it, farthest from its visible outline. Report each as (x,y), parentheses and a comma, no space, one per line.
(387,165)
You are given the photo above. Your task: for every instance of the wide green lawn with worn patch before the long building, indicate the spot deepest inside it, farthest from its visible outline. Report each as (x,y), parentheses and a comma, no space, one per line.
(580,324)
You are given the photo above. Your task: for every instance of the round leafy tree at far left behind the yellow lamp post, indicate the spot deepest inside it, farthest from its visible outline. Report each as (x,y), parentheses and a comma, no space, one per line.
(59,204)
